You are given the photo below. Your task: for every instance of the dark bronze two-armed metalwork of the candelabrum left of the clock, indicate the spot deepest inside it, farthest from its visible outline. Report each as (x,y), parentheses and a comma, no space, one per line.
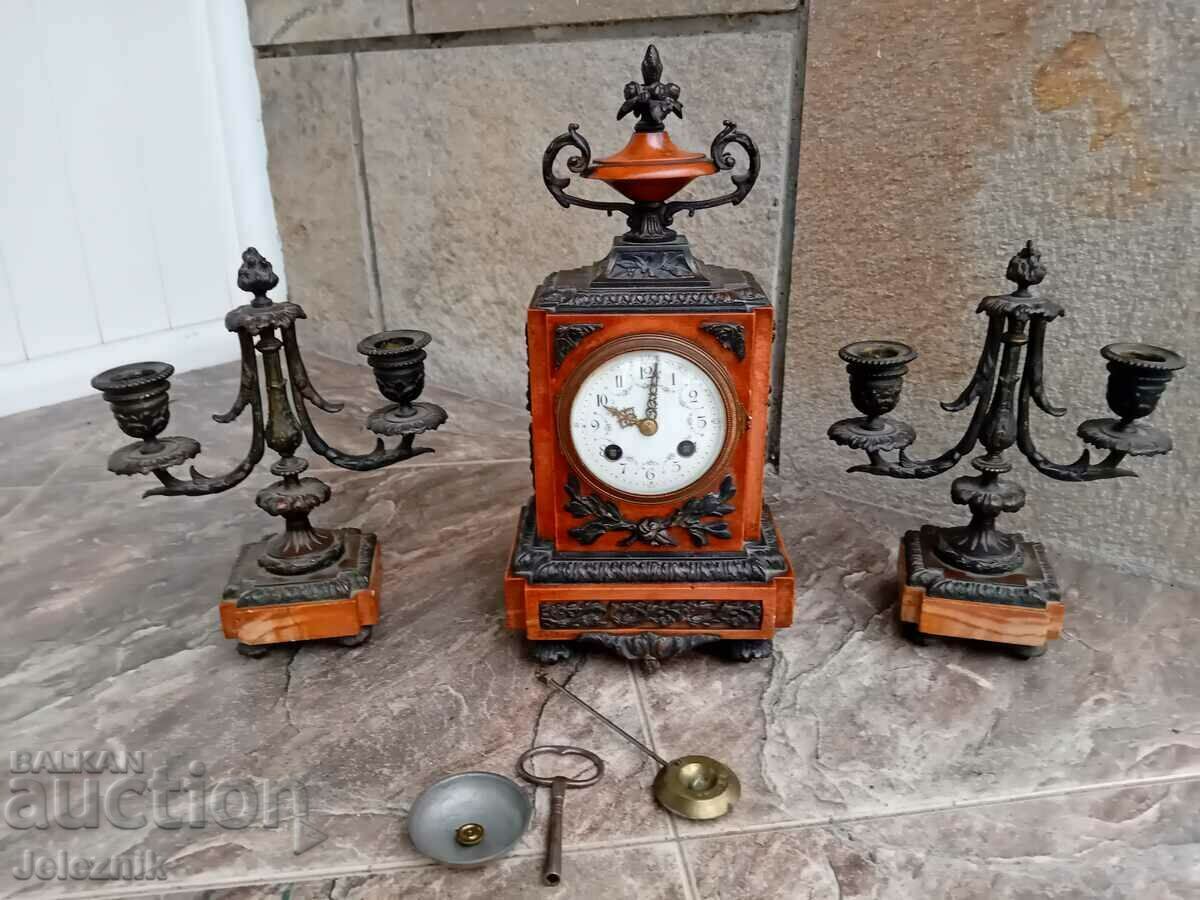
(304,563)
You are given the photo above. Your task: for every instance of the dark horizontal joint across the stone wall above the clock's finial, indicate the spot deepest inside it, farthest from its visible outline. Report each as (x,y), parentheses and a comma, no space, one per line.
(550,34)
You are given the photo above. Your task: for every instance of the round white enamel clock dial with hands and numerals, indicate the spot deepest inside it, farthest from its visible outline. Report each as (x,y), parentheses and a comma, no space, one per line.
(649,423)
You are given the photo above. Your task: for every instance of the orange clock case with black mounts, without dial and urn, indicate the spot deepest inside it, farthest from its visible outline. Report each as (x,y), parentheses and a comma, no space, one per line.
(562,341)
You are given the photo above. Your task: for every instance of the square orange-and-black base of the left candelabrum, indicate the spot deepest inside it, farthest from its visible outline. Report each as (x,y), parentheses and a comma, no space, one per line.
(340,602)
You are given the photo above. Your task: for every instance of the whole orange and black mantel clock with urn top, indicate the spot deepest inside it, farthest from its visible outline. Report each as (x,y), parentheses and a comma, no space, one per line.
(650,375)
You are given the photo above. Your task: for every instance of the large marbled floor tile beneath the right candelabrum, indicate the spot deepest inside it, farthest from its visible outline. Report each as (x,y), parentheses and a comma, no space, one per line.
(850,719)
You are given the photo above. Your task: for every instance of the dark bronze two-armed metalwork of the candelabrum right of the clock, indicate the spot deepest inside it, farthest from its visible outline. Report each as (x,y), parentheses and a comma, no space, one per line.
(967,563)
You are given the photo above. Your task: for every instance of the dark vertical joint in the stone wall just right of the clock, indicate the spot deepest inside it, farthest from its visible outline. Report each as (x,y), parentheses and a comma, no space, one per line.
(787,247)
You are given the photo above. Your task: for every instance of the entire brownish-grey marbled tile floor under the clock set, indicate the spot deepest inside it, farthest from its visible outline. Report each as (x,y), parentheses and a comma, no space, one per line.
(871,767)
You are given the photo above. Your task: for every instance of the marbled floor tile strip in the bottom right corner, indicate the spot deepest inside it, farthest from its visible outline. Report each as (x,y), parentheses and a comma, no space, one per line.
(1120,844)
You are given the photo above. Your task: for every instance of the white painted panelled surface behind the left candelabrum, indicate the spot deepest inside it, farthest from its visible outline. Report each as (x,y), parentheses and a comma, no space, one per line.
(135,172)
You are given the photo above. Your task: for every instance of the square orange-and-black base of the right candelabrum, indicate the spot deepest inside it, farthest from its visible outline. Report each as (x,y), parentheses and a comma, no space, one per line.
(1022,609)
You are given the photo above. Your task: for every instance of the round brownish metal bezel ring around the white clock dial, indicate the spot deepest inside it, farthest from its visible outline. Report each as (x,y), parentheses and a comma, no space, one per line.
(735,413)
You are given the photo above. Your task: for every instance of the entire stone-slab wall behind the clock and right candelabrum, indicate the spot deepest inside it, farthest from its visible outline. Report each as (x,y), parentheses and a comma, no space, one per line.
(405,157)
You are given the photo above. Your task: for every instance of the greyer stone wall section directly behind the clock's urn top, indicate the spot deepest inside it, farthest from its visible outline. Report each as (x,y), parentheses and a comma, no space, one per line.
(407,169)
